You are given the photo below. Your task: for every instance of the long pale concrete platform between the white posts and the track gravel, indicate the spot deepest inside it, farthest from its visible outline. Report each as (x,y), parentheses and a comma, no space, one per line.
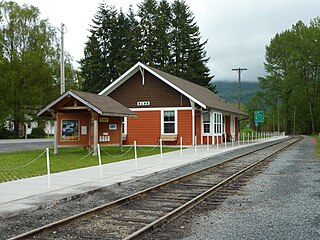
(32,193)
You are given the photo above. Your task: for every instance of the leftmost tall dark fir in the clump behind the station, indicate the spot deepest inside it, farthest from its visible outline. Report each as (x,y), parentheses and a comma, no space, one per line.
(98,65)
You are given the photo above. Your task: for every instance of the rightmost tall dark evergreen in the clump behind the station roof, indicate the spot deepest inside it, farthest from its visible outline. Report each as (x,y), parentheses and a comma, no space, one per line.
(188,54)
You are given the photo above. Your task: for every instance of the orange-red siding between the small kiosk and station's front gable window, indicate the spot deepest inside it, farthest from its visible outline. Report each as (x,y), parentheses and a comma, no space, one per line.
(145,129)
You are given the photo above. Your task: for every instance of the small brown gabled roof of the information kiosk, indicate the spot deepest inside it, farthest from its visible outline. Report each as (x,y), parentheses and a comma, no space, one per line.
(103,105)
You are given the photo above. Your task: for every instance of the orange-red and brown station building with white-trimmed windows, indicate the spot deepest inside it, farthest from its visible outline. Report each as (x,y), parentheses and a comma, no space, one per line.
(172,109)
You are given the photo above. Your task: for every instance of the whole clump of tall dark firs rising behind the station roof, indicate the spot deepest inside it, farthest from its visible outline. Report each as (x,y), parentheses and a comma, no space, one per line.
(161,35)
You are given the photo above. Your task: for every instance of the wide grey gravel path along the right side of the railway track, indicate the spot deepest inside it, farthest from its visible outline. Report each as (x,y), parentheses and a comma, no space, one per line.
(283,202)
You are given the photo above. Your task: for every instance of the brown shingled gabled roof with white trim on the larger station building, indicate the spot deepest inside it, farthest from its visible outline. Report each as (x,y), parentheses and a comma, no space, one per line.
(198,94)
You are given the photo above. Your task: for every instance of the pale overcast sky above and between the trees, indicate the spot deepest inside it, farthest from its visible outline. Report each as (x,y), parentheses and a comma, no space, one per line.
(237,30)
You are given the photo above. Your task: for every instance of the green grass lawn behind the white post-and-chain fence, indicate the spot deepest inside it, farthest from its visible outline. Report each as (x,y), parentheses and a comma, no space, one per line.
(24,164)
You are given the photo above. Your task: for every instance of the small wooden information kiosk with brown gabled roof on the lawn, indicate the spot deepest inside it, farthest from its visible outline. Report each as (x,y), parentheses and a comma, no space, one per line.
(85,119)
